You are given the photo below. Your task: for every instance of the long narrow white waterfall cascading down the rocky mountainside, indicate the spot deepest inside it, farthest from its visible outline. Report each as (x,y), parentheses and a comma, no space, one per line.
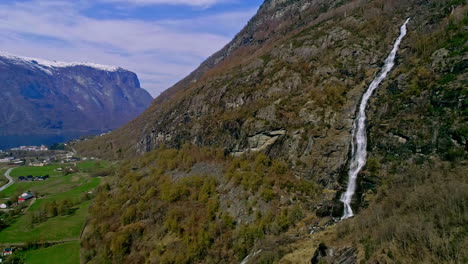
(359,143)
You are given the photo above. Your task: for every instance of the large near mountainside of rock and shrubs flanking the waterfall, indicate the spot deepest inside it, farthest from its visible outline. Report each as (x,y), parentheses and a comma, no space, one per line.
(288,87)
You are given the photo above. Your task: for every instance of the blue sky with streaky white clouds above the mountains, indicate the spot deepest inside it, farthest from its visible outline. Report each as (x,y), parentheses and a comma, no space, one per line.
(160,40)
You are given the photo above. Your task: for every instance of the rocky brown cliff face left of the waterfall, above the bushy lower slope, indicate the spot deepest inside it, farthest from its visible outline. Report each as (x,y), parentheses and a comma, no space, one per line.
(288,85)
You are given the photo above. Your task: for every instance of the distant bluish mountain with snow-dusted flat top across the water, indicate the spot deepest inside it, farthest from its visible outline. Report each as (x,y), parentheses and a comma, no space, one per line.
(46,100)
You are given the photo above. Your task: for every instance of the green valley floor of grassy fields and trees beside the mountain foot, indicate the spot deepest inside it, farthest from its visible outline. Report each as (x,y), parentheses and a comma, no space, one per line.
(47,228)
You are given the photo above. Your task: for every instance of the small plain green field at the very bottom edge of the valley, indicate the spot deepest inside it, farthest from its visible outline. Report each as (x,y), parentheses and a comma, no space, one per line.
(67,253)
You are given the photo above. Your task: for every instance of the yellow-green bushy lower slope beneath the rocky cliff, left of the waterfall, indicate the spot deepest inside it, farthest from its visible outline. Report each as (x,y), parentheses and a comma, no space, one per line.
(165,208)
